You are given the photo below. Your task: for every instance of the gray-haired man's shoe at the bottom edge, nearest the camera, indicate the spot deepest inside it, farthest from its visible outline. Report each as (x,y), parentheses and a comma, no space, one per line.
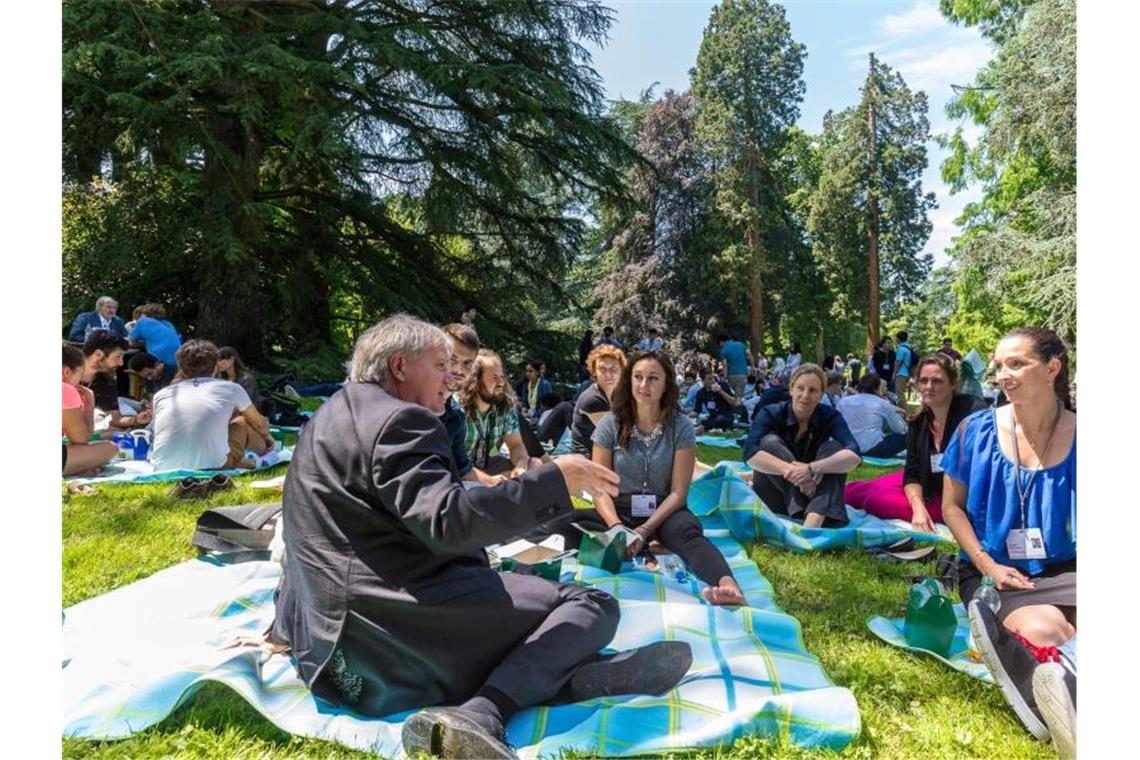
(455,733)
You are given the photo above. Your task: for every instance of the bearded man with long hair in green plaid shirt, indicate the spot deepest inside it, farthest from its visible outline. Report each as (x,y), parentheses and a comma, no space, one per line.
(488,404)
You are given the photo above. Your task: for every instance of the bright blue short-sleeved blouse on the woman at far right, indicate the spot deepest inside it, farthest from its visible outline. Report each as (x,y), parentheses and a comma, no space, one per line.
(974,457)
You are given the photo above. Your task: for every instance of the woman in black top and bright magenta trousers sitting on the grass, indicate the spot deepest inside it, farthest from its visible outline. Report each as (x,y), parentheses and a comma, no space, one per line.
(915,493)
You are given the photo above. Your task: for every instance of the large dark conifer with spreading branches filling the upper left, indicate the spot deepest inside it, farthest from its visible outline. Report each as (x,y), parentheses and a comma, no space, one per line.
(349,156)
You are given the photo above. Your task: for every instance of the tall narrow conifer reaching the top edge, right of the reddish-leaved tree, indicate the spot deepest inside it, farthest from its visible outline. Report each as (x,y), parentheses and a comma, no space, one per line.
(748,85)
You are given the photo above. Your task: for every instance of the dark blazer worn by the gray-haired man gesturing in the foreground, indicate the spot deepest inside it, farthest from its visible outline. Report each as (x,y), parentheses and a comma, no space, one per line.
(377,519)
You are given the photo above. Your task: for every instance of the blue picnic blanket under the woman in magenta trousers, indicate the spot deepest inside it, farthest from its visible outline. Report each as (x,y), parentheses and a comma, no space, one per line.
(721,492)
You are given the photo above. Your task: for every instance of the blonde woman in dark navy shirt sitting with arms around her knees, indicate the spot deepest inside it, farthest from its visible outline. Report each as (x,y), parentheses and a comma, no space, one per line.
(802,452)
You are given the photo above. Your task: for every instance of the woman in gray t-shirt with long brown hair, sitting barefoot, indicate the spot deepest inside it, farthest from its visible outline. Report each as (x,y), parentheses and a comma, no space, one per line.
(653,447)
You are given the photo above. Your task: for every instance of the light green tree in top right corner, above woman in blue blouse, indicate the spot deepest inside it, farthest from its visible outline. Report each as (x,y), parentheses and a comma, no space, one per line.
(1019,254)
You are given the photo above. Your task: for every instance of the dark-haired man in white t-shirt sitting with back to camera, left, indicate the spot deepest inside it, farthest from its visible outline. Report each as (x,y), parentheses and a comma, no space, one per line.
(203,422)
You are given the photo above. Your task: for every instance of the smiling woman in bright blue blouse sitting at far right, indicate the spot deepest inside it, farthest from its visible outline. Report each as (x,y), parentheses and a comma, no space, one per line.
(1009,497)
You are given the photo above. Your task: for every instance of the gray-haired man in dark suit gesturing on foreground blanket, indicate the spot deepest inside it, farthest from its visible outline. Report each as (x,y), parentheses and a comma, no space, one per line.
(387,600)
